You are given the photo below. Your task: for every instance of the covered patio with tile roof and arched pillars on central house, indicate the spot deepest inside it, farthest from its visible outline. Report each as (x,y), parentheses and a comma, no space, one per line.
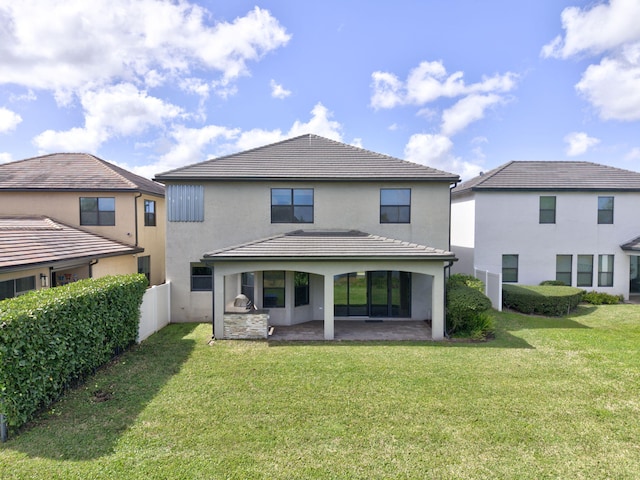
(326,255)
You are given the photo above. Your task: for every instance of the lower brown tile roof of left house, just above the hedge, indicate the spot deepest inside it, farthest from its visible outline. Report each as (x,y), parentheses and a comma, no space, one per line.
(36,240)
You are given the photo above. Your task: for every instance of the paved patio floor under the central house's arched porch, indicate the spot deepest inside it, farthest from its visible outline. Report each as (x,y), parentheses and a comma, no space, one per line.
(355,330)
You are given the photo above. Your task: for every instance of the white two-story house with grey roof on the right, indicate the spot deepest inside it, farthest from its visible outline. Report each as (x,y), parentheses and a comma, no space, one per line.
(577,222)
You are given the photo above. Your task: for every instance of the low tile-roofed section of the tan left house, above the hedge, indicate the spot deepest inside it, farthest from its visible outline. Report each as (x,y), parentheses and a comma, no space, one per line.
(38,252)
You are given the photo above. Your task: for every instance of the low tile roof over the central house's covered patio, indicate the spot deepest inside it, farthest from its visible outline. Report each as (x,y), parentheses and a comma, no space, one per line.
(312,244)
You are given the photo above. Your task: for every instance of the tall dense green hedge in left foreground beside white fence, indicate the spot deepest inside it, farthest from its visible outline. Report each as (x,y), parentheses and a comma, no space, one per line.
(54,337)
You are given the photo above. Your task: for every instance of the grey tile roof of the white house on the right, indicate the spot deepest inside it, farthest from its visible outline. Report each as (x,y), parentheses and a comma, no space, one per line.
(550,175)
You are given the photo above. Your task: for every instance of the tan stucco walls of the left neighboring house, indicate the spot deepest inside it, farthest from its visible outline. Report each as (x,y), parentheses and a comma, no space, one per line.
(65,207)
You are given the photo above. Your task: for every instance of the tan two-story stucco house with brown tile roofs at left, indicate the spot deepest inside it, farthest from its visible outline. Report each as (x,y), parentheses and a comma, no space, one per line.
(69,216)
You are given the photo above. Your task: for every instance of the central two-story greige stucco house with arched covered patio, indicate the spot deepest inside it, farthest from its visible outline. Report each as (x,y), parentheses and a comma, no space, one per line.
(310,229)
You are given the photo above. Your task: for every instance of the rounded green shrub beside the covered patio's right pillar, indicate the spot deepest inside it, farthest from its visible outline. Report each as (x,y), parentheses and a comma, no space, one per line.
(467,311)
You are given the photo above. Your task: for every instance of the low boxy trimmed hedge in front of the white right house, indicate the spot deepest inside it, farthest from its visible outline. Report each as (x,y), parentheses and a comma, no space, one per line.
(554,301)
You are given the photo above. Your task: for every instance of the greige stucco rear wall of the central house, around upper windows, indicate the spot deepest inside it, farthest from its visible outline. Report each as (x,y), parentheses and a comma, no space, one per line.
(239,212)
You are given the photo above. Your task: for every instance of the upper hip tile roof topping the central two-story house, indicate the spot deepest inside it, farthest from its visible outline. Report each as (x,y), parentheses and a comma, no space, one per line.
(307,157)
